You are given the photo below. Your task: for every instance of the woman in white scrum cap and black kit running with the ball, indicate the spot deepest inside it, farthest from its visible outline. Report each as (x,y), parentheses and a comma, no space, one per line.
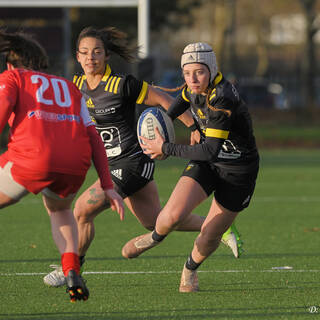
(225,162)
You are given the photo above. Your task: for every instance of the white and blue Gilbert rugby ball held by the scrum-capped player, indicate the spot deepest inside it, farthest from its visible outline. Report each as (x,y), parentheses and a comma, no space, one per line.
(152,118)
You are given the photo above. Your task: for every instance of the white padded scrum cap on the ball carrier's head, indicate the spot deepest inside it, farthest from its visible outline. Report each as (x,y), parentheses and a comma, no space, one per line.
(200,52)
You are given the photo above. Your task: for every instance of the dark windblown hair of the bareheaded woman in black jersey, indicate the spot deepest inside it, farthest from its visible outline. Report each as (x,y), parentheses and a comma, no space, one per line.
(113,40)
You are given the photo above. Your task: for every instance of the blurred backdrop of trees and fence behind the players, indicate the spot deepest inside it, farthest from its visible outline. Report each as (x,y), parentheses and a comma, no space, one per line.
(269,49)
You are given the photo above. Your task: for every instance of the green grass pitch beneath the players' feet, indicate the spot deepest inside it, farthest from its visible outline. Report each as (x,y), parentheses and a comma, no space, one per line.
(280,229)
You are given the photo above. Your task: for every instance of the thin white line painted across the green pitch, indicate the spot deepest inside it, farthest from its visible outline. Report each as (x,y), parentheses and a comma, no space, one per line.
(162,272)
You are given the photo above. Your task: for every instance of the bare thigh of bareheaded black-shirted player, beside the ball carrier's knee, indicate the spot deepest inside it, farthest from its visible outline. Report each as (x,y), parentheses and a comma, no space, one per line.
(145,205)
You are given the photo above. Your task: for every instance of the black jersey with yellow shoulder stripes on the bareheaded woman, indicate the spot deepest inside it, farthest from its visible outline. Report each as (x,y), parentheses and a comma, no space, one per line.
(112,108)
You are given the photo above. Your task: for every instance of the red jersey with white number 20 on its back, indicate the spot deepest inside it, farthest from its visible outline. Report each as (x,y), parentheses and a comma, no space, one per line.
(48,126)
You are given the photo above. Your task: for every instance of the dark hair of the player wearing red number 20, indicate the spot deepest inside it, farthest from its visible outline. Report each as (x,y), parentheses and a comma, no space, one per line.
(22,51)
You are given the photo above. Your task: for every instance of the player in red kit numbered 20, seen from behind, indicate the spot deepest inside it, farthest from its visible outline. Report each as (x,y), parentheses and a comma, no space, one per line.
(52,141)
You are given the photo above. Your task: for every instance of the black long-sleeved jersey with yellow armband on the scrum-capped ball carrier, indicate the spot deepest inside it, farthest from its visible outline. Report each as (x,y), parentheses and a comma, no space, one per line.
(226,140)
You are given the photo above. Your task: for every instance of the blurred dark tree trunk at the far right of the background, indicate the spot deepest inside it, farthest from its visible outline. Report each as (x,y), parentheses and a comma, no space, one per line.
(309,61)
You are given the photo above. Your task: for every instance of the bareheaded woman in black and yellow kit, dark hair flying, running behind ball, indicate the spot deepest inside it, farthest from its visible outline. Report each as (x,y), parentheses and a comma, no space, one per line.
(111,100)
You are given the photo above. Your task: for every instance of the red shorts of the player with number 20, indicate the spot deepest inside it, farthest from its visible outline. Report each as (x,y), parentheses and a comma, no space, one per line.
(60,183)
